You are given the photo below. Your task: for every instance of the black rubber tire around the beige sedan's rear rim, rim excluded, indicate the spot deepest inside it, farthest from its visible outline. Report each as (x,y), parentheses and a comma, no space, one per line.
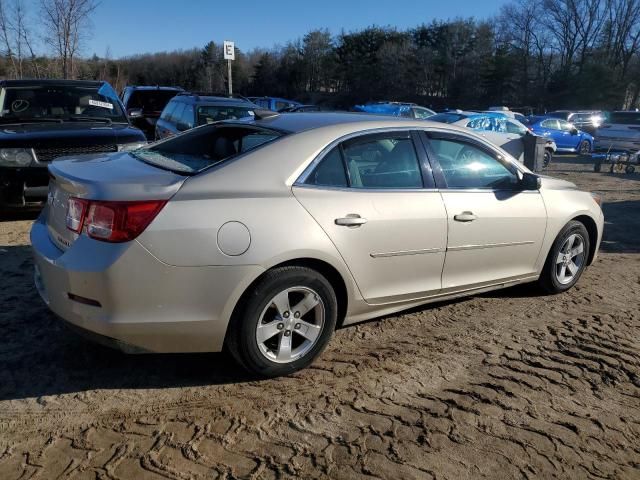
(241,341)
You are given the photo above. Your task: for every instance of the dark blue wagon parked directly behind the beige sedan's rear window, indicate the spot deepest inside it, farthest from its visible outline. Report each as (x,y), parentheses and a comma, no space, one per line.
(187,110)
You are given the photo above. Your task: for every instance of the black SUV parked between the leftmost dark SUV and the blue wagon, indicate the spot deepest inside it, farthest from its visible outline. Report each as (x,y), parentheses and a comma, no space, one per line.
(145,104)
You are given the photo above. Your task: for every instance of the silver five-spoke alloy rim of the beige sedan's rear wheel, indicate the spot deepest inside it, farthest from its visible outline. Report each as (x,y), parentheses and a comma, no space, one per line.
(290,325)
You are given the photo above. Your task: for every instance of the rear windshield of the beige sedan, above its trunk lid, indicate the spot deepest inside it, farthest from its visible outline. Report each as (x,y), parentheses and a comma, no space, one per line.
(205,146)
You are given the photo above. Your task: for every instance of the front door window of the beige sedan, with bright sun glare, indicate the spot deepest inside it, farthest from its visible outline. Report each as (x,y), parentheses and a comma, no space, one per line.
(467,166)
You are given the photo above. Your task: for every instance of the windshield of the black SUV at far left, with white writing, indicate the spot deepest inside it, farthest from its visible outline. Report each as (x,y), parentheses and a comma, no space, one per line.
(60,103)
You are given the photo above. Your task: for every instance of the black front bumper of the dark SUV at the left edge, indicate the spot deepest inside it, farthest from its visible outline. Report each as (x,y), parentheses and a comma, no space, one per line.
(23,187)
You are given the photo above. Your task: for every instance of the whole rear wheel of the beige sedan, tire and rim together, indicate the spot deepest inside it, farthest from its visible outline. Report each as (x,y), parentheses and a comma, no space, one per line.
(286,322)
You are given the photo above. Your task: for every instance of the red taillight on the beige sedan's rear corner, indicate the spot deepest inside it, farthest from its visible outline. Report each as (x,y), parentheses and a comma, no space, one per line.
(115,221)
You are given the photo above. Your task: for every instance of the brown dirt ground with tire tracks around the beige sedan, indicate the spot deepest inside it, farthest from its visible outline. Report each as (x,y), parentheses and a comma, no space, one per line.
(512,384)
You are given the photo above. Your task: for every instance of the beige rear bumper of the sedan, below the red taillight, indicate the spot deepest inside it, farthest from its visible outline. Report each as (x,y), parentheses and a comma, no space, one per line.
(123,296)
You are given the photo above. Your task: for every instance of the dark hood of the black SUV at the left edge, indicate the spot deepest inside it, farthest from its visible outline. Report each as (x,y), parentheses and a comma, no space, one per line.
(67,134)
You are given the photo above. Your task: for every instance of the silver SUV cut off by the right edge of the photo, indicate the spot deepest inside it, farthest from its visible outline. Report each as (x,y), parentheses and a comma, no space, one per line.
(620,131)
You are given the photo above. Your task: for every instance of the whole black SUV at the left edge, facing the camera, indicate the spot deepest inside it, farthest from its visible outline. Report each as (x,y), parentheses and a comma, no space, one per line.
(45,119)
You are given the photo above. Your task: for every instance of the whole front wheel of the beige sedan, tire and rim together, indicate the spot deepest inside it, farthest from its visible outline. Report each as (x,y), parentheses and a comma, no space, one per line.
(567,259)
